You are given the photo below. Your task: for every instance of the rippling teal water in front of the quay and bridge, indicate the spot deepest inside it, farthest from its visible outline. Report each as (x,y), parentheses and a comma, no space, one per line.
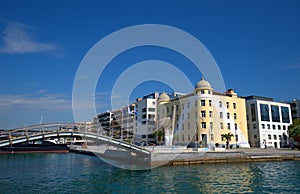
(74,173)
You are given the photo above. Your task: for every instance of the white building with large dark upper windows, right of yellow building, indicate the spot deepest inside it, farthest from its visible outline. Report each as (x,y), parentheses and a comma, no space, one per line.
(267,122)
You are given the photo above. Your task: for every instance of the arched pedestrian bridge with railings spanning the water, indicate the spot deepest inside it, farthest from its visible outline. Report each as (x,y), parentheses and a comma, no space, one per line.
(59,130)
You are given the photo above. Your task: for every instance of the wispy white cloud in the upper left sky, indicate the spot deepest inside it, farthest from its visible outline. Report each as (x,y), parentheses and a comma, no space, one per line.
(17,40)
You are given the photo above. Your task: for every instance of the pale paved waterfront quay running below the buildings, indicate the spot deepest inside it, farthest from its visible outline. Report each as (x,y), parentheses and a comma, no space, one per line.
(163,156)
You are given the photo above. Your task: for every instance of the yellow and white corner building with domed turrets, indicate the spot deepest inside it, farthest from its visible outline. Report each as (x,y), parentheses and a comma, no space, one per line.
(203,116)
